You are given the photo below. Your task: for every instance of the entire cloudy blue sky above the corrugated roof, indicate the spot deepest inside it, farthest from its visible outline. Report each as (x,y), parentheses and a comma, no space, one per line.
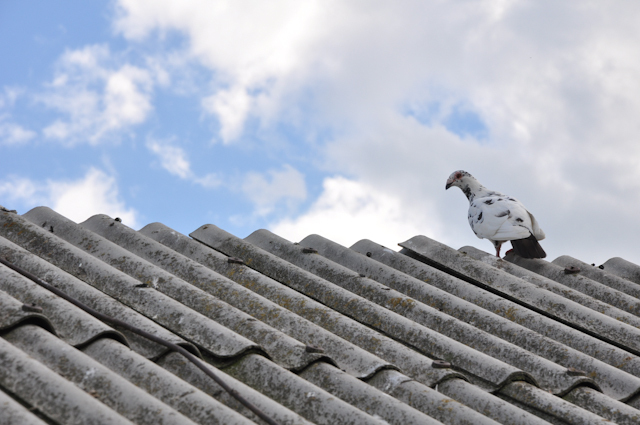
(339,118)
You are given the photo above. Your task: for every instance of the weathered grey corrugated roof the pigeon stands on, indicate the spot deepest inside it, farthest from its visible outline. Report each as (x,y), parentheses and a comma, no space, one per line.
(309,332)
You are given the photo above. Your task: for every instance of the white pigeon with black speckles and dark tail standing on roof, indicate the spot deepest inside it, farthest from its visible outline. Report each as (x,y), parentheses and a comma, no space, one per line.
(499,218)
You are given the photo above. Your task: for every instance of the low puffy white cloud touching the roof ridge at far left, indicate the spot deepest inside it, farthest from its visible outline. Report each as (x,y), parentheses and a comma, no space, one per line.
(95,193)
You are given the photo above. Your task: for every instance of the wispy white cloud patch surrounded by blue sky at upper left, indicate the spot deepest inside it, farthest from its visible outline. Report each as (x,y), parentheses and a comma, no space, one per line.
(100,96)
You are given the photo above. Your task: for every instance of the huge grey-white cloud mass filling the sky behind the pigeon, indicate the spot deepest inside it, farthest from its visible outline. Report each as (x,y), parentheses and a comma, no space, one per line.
(555,85)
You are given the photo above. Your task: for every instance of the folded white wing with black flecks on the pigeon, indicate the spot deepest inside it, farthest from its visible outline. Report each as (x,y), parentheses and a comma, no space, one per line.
(499,218)
